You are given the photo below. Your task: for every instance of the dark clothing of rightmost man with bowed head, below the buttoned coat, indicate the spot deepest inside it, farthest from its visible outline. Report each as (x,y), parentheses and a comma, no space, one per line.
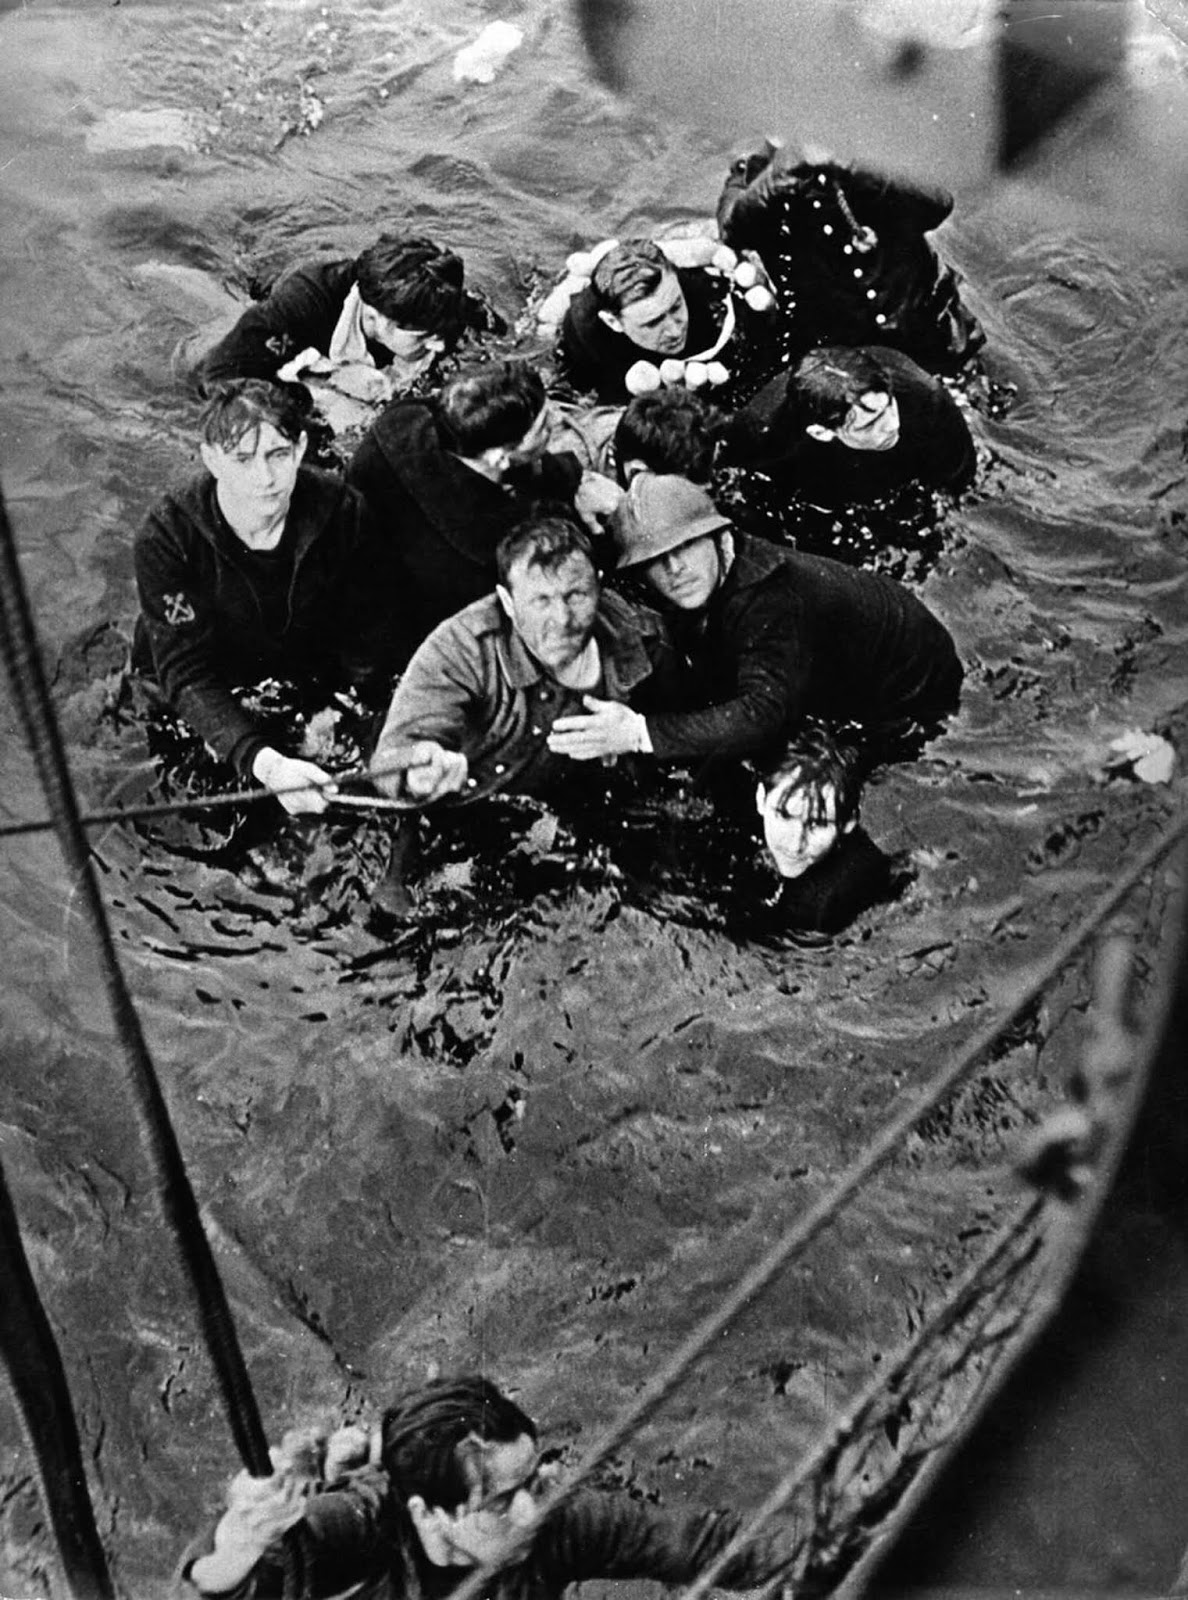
(934,447)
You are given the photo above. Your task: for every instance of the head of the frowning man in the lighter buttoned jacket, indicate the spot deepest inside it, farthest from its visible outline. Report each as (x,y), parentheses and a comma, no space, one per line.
(550,590)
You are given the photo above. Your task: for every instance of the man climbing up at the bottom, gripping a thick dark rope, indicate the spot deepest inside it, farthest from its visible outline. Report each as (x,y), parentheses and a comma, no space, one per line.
(459,1476)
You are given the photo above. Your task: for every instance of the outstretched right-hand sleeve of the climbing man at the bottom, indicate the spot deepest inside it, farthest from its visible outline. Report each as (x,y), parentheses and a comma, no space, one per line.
(612,1537)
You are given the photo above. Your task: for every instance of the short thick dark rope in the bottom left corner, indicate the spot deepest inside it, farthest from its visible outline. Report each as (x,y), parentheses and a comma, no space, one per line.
(44,1401)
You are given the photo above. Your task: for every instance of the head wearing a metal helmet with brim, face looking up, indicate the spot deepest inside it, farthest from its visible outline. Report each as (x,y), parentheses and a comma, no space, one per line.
(670,534)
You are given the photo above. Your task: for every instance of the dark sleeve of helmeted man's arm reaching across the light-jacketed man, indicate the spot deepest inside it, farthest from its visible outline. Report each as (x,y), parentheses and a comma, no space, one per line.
(771,681)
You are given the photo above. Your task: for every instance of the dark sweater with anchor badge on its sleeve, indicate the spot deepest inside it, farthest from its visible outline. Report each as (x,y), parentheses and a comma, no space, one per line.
(206,626)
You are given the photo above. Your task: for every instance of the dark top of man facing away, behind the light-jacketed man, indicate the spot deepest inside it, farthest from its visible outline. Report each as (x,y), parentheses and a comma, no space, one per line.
(441,518)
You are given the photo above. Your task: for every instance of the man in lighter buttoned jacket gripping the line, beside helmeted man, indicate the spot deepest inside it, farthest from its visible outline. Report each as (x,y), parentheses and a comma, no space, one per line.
(475,711)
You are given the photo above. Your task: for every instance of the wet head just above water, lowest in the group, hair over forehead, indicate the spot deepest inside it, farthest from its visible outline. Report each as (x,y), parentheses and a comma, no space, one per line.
(809,798)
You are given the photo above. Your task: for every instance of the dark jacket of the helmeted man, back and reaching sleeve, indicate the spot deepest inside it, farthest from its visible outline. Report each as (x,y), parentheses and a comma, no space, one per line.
(790,636)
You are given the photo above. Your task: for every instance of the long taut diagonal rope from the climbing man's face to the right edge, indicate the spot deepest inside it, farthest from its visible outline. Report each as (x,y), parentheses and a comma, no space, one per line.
(801,1234)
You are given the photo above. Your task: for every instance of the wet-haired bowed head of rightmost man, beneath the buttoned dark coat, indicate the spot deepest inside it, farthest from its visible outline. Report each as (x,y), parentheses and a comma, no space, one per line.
(843,394)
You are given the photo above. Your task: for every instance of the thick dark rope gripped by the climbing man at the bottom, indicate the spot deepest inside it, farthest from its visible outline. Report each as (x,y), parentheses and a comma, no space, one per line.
(18,644)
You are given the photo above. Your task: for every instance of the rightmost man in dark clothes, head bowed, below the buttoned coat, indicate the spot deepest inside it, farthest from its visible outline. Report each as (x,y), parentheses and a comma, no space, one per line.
(856,426)
